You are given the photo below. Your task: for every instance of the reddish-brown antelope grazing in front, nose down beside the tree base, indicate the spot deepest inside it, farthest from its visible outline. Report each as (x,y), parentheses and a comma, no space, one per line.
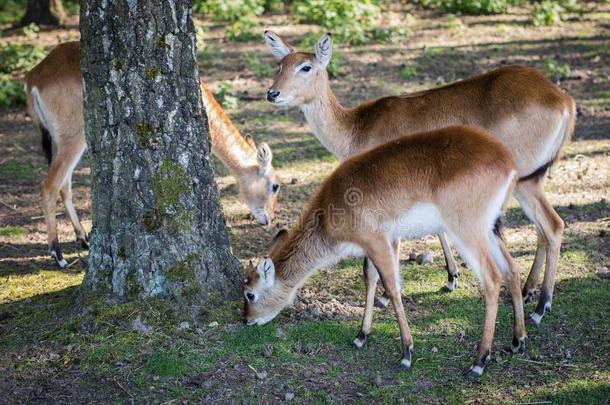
(407,188)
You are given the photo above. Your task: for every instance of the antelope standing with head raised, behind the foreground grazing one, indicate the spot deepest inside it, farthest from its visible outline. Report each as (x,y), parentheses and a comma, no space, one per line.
(531,116)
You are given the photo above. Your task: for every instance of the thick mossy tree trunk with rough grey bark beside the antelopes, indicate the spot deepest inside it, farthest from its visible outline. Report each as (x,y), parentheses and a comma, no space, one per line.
(158,228)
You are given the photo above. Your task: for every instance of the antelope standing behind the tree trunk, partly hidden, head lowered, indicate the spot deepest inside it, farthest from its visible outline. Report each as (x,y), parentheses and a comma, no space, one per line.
(54,91)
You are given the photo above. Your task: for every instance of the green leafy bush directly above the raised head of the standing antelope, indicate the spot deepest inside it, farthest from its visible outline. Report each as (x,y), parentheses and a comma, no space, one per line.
(350,21)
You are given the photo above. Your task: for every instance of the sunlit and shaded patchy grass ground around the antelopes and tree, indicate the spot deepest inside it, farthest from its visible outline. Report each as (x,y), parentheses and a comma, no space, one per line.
(66,348)
